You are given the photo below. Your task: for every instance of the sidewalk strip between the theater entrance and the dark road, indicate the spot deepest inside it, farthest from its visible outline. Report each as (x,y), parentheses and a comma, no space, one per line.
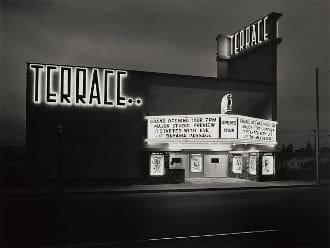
(191,184)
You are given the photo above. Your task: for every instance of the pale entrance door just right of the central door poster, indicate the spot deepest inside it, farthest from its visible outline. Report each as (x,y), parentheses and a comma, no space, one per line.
(215,165)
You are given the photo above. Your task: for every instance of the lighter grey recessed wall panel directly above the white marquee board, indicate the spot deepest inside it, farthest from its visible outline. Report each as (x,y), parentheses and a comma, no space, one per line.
(177,100)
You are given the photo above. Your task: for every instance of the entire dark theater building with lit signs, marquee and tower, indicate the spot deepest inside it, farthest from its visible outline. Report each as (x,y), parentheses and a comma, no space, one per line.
(147,127)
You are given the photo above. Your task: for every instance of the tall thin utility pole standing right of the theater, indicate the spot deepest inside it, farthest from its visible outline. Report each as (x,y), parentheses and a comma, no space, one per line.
(317,143)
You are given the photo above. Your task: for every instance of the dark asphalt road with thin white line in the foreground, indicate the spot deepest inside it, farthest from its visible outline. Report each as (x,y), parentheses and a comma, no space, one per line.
(183,219)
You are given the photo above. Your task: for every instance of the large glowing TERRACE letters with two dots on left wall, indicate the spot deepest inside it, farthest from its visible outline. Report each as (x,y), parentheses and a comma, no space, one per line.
(80,86)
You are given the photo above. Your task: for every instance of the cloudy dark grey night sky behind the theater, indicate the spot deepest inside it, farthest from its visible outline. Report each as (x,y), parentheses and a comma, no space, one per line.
(164,36)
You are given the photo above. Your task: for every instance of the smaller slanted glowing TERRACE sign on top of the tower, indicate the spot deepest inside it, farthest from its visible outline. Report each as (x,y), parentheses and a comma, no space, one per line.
(250,36)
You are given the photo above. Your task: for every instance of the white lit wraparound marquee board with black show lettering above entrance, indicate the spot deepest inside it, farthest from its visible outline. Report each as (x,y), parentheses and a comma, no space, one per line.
(211,126)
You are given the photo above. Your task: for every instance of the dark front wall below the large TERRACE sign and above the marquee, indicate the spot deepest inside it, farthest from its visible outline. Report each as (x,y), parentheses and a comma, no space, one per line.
(103,142)
